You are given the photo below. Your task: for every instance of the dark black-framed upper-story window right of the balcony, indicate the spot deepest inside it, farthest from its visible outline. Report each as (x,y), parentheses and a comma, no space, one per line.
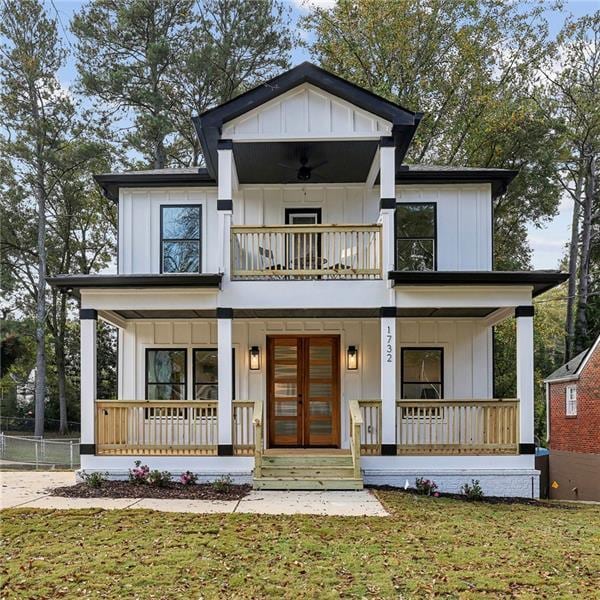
(415,236)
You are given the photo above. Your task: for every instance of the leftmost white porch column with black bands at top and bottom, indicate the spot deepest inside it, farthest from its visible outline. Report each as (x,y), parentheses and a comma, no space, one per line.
(88,318)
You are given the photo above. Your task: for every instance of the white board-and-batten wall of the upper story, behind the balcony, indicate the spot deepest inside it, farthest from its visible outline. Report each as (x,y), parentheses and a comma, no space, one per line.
(464,218)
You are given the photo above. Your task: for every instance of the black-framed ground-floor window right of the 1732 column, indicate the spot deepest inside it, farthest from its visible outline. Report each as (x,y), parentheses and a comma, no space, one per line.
(422,373)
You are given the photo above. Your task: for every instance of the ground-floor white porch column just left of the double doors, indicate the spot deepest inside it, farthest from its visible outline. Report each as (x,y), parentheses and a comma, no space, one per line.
(225,374)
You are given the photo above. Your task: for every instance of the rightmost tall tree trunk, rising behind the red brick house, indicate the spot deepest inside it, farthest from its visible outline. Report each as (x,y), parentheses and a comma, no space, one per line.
(581,327)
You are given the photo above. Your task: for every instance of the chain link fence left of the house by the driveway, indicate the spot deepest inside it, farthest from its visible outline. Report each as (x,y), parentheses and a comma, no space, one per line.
(38,452)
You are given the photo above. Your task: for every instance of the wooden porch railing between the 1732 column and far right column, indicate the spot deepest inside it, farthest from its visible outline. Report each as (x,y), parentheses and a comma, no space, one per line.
(457,426)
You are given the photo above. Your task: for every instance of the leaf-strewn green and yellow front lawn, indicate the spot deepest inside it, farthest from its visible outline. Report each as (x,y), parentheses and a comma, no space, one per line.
(427,548)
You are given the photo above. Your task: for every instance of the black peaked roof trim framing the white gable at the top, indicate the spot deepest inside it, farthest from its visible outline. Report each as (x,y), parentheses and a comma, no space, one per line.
(208,124)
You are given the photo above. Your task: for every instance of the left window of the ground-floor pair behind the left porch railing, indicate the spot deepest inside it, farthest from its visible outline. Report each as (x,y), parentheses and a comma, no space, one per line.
(166,374)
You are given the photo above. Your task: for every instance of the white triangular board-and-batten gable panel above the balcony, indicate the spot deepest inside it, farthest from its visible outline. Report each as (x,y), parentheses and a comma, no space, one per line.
(306,112)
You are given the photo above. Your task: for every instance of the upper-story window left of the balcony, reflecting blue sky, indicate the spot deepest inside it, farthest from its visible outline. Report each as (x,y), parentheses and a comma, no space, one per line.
(180,242)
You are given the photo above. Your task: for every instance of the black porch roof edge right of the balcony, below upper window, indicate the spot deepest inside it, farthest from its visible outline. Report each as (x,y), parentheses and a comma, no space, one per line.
(541,281)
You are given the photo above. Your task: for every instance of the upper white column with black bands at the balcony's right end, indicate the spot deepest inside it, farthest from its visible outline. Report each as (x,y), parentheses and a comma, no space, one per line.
(387,201)
